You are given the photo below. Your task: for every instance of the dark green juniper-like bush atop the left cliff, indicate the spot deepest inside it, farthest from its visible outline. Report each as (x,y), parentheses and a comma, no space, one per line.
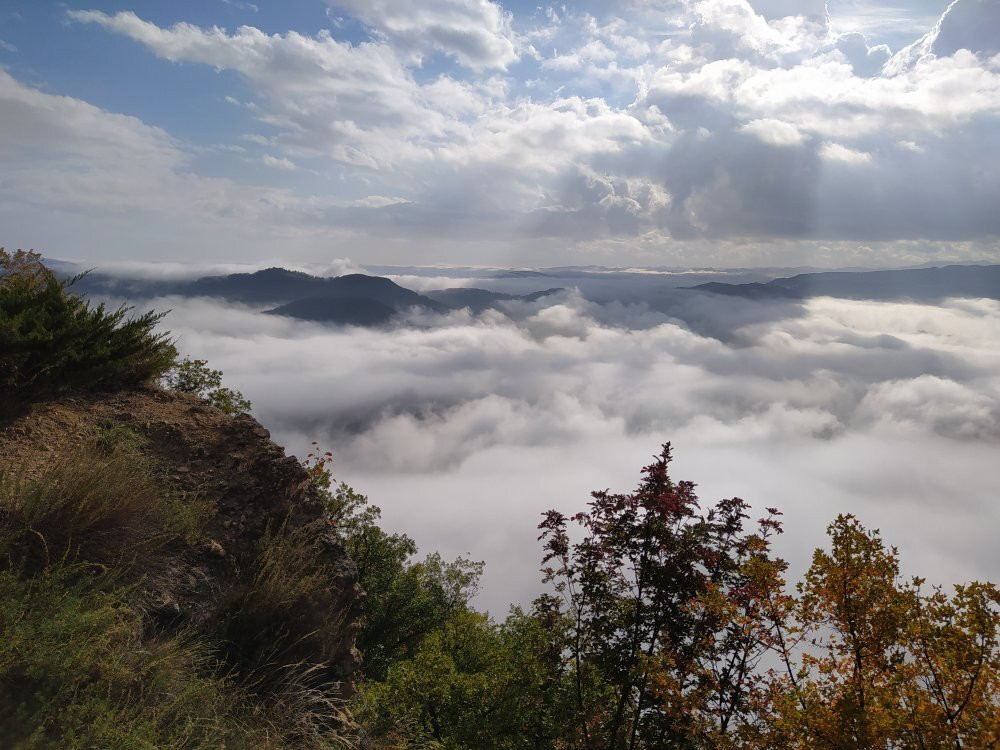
(51,340)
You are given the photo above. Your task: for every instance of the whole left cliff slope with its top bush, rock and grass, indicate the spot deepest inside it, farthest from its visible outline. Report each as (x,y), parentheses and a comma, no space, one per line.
(168,577)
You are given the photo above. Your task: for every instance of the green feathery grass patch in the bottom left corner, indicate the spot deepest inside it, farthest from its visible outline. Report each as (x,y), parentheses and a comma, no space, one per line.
(79,673)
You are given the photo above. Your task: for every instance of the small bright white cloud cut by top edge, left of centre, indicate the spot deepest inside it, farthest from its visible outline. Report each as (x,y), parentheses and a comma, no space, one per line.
(476,33)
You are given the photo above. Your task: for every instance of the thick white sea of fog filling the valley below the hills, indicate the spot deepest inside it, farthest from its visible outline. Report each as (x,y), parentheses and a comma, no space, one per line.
(465,428)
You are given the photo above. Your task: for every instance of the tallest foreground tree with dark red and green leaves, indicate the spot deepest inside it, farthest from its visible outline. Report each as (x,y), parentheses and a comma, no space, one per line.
(665,606)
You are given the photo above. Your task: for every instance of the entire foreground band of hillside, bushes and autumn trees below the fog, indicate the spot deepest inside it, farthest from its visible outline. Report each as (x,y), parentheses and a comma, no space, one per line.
(169,578)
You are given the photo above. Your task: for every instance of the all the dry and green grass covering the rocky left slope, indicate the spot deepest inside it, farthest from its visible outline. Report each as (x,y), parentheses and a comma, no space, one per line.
(82,665)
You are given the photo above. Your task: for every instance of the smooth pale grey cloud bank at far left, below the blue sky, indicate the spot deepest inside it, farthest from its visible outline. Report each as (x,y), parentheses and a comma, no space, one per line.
(72,168)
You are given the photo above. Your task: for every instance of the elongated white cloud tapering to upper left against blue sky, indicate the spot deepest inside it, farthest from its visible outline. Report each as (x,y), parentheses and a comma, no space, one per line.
(358,104)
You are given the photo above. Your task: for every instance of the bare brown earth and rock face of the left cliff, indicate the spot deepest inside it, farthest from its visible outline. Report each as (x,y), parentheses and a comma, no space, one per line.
(250,486)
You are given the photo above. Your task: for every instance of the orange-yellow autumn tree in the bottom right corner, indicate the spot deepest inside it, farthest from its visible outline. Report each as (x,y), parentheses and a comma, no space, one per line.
(876,663)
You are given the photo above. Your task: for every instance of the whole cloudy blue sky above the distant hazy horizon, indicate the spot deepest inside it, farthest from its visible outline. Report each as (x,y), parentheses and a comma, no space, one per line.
(678,133)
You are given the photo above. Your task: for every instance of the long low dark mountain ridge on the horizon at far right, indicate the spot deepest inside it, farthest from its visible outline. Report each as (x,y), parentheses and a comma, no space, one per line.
(918,284)
